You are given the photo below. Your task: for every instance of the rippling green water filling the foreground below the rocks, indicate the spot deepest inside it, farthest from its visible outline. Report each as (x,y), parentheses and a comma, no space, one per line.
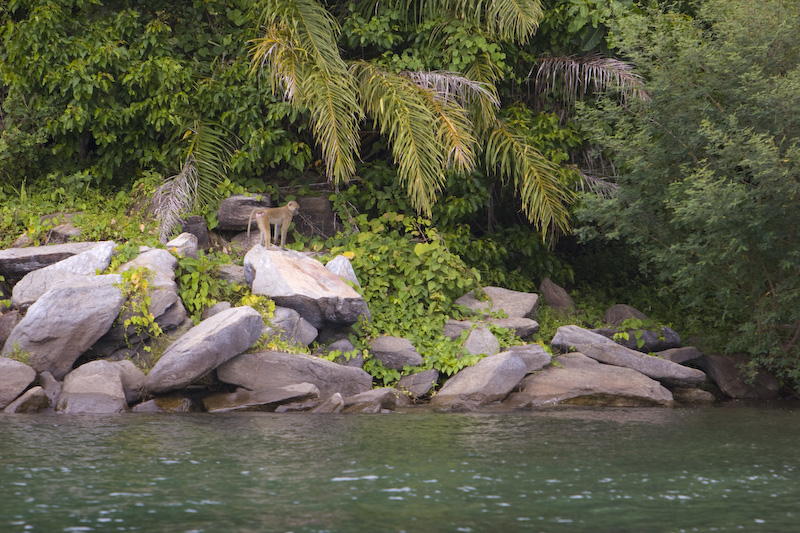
(615,470)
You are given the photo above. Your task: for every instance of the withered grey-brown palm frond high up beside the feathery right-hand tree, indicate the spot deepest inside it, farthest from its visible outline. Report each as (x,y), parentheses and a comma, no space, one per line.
(574,76)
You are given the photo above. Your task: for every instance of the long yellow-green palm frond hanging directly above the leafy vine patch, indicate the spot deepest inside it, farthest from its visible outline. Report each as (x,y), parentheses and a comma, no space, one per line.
(402,113)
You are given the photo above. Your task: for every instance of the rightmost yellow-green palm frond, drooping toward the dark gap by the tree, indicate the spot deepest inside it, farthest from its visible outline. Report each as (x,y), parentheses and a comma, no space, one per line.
(545,198)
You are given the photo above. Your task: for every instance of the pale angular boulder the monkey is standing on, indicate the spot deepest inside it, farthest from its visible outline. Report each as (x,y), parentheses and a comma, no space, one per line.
(301,283)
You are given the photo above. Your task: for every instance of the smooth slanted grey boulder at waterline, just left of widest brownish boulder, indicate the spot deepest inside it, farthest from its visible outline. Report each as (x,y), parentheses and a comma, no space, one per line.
(488,381)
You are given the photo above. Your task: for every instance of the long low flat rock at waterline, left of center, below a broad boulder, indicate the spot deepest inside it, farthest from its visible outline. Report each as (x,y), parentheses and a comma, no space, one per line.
(263,400)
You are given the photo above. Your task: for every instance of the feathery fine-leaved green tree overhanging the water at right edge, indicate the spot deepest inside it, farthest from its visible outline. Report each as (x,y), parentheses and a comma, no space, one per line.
(709,193)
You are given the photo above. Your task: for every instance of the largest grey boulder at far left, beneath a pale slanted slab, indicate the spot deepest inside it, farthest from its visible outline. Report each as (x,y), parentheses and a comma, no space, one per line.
(63,324)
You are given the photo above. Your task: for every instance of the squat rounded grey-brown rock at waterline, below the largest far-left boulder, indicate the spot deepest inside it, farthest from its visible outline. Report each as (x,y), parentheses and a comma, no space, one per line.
(93,388)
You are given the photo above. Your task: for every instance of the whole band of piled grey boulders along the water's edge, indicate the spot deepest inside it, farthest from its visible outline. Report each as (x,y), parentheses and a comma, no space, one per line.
(66,347)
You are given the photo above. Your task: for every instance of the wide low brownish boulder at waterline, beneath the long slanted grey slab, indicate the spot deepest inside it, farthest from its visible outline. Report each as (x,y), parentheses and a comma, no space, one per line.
(580,380)
